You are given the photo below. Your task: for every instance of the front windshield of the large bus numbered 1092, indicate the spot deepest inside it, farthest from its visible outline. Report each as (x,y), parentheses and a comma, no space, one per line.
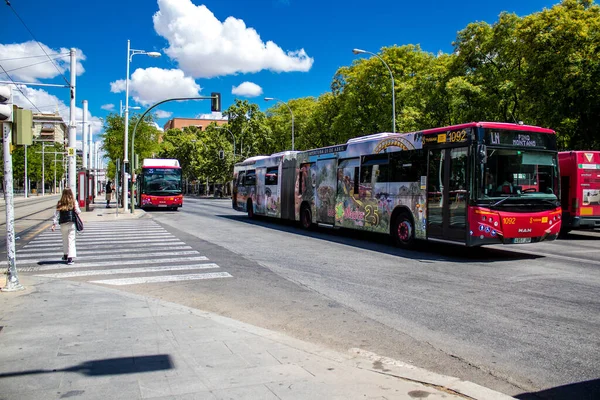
(511,176)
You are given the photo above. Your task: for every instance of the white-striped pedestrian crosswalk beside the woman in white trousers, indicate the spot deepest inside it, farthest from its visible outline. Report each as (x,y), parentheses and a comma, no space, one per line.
(118,253)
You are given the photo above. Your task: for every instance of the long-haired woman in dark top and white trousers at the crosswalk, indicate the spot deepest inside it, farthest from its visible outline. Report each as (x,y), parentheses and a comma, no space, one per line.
(66,208)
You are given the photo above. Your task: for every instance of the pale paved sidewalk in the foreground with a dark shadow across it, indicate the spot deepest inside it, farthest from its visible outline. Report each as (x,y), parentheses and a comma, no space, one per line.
(64,339)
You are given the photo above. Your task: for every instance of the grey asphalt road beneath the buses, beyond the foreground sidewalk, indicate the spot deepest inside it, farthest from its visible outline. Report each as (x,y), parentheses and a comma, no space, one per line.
(515,319)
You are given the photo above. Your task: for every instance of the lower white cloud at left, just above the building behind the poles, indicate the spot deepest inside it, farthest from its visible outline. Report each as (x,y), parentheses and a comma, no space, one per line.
(49,103)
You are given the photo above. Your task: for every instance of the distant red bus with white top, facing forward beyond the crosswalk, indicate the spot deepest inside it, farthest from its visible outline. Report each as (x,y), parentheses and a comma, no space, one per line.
(160,184)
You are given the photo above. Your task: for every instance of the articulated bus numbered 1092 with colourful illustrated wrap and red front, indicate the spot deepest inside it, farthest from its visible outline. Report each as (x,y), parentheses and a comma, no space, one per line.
(475,184)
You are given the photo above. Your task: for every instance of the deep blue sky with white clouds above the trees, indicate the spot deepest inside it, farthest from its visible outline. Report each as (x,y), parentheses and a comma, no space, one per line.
(248,49)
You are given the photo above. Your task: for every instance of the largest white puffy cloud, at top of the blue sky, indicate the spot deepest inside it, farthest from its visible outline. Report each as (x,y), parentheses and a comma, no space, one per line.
(206,47)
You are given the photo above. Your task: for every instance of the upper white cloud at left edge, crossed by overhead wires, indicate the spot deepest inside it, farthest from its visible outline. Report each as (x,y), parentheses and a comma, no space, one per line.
(22,63)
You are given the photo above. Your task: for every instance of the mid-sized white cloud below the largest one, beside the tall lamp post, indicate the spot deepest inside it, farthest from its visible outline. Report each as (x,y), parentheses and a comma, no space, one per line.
(151,85)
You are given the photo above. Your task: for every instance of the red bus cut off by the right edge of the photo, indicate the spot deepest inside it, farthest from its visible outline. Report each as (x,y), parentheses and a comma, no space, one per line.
(580,194)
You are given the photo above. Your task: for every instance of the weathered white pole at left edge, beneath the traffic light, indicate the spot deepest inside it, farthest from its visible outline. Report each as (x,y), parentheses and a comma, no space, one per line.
(12,278)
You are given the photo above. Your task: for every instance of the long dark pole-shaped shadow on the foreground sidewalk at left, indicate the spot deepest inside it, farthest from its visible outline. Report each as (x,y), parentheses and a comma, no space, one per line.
(109,366)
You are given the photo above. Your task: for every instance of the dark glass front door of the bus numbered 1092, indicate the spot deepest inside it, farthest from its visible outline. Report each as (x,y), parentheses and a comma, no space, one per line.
(447,194)
